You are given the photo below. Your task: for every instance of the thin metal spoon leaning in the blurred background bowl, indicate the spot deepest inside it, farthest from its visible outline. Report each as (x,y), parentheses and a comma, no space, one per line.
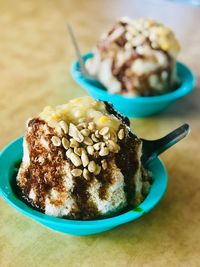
(83,69)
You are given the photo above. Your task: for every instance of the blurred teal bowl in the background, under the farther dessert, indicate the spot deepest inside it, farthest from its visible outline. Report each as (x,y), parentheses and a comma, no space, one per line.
(137,107)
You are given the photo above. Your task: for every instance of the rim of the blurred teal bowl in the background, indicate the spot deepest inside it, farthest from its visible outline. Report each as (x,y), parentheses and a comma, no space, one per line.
(188,82)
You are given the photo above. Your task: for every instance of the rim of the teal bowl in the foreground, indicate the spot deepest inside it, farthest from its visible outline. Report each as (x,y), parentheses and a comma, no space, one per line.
(7,193)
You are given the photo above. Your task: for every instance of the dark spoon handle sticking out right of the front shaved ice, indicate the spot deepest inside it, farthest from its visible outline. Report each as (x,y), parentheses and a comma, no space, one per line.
(152,149)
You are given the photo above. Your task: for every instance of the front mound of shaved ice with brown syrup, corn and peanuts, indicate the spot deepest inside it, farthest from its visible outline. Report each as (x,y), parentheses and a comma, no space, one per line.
(81,161)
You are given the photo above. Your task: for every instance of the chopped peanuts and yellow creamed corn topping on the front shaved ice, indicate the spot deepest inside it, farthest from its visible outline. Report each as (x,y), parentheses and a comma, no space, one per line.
(87,137)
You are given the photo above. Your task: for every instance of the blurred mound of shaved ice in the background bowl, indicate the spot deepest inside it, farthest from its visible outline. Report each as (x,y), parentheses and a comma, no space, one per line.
(136,57)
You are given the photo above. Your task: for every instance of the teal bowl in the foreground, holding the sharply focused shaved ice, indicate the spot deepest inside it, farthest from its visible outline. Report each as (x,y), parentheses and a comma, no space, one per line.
(12,155)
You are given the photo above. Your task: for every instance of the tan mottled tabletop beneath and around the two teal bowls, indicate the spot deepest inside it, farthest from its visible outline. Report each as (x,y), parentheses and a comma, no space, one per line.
(35,57)
